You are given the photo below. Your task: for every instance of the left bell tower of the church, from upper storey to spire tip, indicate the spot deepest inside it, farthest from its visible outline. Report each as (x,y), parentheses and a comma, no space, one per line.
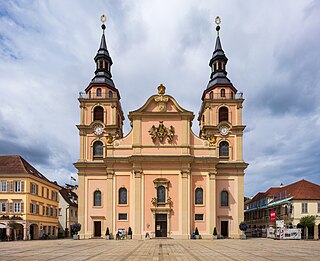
(101,115)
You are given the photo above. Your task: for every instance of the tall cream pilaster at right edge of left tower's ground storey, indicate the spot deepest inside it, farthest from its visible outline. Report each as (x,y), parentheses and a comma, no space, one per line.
(109,201)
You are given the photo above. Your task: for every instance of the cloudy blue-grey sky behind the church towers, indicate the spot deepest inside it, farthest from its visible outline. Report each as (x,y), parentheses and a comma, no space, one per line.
(46,59)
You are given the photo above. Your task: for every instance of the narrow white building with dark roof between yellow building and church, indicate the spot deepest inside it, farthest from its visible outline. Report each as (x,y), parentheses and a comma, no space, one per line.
(68,209)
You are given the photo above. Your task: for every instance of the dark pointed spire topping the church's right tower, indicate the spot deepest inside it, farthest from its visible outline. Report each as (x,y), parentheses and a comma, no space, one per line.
(218,61)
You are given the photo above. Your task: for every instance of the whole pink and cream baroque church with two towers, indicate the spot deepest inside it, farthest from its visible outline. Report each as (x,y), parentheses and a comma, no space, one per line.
(161,178)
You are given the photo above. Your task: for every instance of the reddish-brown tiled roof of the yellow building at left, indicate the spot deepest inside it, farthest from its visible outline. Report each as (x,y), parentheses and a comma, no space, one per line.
(18,165)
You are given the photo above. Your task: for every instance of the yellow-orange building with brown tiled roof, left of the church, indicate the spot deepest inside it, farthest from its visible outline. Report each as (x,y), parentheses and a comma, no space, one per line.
(29,201)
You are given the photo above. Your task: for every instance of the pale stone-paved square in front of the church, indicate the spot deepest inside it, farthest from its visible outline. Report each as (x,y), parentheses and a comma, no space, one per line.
(160,249)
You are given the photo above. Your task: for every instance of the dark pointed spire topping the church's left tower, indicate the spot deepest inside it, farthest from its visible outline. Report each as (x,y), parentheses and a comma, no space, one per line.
(103,60)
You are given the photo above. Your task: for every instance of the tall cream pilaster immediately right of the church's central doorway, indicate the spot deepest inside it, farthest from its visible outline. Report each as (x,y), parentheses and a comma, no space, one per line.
(185,204)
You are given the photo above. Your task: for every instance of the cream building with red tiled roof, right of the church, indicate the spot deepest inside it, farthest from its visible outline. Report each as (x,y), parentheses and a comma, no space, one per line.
(291,203)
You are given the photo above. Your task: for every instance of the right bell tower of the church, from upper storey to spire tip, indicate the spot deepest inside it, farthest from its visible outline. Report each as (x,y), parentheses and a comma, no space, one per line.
(220,116)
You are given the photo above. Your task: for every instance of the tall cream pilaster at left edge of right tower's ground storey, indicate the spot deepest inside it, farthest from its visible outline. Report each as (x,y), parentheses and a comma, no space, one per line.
(212,201)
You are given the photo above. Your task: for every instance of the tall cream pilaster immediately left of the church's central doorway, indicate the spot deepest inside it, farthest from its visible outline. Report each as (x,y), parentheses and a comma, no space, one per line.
(137,222)
